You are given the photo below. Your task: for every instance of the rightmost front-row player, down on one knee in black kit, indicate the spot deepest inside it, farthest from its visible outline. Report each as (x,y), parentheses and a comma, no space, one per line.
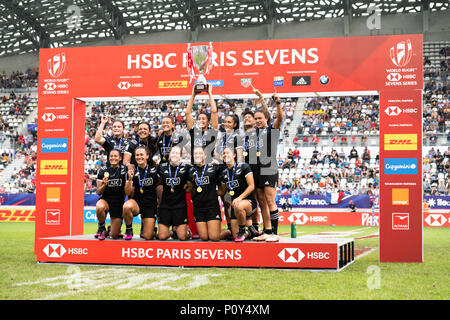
(237,178)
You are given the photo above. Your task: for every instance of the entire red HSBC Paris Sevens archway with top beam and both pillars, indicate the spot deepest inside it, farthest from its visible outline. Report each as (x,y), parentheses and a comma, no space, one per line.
(389,65)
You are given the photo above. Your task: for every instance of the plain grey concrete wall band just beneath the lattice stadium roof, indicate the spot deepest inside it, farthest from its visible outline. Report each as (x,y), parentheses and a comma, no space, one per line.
(438,29)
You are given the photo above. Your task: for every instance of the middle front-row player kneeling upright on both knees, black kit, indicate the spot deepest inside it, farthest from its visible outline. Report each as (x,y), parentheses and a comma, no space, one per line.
(173,207)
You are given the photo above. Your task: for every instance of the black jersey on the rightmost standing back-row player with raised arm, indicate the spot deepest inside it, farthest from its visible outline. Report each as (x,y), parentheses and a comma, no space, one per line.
(266,149)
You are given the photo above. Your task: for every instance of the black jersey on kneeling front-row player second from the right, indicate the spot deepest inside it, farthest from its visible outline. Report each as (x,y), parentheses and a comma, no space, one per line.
(207,178)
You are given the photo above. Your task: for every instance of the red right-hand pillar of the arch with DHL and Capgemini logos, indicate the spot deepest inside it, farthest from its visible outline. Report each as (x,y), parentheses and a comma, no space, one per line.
(401,176)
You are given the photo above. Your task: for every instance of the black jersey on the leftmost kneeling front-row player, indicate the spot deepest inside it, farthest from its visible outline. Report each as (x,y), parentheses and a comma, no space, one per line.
(115,190)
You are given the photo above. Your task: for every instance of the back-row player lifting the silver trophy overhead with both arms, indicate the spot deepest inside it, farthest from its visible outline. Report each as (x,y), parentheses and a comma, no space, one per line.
(201,135)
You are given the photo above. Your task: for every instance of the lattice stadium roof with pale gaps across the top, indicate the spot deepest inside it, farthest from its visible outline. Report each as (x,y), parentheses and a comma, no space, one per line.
(28,25)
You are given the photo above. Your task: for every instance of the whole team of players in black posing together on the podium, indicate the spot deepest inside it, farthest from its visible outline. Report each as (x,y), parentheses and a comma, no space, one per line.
(237,166)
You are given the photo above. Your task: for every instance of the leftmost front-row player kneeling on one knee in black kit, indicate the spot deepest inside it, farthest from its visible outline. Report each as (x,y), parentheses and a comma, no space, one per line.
(110,187)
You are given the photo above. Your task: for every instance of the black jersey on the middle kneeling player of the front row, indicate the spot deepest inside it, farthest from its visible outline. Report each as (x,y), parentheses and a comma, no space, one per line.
(173,179)
